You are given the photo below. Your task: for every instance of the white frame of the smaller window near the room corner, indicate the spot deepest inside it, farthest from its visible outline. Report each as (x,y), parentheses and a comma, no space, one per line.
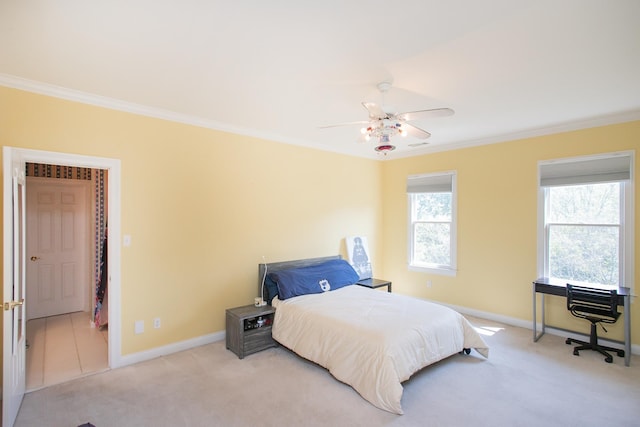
(444,270)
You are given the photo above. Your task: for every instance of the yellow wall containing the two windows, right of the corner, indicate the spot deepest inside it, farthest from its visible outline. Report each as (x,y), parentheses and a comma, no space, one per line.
(497,223)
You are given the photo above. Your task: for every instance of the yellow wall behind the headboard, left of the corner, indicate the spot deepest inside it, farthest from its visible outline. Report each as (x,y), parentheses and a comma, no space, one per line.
(203,207)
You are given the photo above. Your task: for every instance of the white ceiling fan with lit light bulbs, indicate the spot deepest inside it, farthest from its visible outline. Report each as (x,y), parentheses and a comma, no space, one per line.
(384,124)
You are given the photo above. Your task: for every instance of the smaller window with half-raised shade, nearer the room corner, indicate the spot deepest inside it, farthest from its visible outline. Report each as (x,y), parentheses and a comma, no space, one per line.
(432,222)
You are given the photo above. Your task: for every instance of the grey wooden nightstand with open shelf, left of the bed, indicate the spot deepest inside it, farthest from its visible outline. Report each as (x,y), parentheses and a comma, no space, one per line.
(249,329)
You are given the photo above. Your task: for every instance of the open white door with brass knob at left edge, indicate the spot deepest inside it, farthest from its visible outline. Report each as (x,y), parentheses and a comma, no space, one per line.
(14,318)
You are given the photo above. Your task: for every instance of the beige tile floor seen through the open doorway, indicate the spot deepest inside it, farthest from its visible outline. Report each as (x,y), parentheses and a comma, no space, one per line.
(62,348)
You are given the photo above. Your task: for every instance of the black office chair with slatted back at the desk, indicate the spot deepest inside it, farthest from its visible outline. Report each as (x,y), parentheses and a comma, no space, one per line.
(597,306)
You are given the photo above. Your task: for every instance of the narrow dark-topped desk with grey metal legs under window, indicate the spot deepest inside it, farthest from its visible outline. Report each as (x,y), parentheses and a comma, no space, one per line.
(546,286)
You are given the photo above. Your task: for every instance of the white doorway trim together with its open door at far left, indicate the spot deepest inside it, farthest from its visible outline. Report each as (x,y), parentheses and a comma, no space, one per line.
(14,163)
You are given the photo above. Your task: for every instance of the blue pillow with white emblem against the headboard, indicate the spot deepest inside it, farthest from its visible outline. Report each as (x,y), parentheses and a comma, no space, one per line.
(315,279)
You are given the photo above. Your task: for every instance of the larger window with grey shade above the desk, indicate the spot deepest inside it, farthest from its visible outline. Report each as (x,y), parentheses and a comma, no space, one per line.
(587,220)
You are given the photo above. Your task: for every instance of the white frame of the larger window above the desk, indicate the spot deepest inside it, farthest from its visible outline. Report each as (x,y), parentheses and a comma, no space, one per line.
(626,225)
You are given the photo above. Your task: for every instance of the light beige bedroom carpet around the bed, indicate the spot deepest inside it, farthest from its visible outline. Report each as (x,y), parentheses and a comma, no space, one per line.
(521,384)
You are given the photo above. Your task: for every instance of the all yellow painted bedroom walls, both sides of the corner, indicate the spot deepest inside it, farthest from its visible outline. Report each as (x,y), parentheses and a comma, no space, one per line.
(204,206)
